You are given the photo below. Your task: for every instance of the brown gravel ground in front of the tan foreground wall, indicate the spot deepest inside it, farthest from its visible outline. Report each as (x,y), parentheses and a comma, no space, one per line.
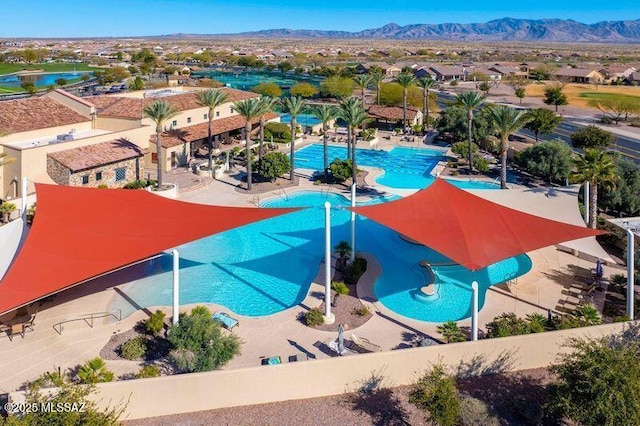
(384,406)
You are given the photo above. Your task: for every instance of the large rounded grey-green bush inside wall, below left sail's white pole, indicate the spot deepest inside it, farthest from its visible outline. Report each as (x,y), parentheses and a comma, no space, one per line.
(199,344)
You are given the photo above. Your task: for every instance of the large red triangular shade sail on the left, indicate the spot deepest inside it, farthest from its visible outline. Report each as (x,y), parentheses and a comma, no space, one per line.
(79,233)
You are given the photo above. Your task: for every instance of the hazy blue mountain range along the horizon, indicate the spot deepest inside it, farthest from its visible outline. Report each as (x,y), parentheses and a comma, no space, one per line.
(506,29)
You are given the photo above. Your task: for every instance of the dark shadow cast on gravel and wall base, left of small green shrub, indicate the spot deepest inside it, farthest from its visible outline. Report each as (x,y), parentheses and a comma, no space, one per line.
(378,401)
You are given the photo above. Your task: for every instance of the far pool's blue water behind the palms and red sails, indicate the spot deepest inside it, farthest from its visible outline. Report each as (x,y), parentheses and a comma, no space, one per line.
(405,168)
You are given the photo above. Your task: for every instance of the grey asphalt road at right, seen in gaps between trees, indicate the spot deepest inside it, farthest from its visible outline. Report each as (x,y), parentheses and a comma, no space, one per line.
(628,146)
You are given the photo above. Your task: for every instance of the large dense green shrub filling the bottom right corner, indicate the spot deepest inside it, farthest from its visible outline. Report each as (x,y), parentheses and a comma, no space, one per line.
(599,381)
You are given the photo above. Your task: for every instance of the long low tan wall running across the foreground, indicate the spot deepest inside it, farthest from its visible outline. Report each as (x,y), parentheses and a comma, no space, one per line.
(316,378)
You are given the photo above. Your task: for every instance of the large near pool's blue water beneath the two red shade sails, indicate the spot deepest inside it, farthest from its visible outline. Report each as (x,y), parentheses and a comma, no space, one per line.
(266,267)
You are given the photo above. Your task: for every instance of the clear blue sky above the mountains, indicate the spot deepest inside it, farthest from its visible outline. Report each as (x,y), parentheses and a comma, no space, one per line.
(83,18)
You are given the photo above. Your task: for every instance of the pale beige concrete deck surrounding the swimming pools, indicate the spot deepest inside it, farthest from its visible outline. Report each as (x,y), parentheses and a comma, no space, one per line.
(281,334)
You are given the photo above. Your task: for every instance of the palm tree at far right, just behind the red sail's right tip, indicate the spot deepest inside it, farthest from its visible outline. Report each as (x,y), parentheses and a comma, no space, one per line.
(595,167)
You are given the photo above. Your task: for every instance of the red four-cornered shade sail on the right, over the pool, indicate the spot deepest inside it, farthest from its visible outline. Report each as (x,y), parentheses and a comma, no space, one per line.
(468,229)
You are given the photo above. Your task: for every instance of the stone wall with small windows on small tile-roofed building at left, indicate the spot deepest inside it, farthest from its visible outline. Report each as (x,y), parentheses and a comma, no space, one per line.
(63,176)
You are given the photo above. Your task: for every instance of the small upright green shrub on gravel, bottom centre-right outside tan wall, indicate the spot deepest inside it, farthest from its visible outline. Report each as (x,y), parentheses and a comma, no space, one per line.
(436,393)
